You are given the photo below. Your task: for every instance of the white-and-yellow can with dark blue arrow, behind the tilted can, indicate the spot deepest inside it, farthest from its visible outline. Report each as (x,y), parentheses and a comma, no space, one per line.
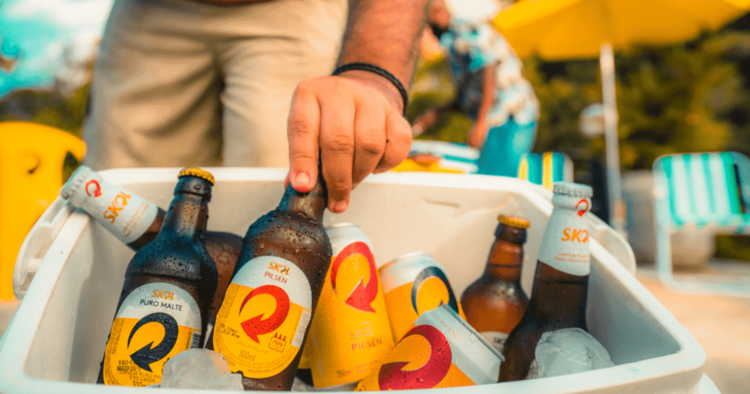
(414,283)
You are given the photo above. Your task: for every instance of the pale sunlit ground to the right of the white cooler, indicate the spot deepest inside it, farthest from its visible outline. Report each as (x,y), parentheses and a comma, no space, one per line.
(720,324)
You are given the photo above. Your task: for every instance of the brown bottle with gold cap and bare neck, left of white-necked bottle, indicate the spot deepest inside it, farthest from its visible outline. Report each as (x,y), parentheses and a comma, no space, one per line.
(495,303)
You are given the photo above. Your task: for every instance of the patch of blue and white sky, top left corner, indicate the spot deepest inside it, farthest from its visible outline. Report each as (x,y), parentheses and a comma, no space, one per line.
(36,32)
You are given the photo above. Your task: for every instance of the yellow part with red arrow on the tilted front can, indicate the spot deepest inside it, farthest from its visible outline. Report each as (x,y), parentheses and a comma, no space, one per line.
(422,359)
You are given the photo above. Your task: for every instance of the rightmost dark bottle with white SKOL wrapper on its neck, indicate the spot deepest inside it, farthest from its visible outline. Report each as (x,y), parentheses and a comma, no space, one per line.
(558,298)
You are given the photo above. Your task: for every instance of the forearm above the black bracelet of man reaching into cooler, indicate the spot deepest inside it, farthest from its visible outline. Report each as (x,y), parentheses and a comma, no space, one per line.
(384,33)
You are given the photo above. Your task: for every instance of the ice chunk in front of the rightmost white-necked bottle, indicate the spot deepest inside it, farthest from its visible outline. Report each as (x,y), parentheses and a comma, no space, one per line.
(567,351)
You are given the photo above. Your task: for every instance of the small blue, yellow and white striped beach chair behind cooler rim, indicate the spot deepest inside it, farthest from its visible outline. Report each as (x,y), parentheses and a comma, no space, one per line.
(546,168)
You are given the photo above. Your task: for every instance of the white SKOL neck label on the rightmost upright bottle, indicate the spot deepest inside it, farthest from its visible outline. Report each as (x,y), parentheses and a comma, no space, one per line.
(565,245)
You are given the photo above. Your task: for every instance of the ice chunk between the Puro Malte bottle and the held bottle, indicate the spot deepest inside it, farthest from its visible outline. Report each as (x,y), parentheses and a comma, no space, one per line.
(200,369)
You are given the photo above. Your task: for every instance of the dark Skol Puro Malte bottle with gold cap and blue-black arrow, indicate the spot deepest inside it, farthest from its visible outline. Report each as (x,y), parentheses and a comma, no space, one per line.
(168,289)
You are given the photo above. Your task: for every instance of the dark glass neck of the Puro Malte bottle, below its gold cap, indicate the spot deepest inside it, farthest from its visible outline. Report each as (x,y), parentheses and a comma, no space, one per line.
(187,216)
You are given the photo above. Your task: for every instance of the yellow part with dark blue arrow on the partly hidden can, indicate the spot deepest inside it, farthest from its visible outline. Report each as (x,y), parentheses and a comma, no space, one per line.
(402,299)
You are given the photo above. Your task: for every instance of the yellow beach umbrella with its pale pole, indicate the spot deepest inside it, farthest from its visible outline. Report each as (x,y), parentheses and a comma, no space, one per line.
(569,29)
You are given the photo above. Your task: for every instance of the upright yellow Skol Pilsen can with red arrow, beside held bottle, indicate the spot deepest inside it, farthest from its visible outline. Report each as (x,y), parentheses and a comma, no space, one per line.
(350,332)
